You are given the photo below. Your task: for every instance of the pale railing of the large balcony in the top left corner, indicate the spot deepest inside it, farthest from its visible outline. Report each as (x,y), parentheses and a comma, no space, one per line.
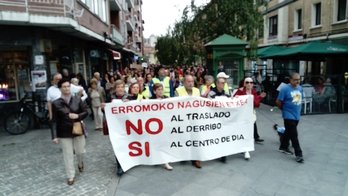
(65,8)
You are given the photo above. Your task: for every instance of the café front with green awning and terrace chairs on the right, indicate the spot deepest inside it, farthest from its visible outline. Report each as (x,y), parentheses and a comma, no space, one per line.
(323,67)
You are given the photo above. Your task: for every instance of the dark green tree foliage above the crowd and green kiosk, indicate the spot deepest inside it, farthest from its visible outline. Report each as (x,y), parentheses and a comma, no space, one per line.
(199,25)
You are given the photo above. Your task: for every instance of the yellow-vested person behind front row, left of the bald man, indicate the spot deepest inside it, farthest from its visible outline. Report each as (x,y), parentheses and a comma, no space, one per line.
(168,87)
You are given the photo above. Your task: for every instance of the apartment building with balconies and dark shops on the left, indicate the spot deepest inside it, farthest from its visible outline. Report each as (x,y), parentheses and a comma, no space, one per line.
(41,37)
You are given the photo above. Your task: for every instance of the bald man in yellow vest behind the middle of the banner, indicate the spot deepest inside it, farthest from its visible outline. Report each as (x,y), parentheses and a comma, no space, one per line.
(189,90)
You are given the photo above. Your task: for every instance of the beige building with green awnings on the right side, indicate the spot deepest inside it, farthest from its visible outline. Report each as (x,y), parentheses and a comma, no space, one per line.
(309,37)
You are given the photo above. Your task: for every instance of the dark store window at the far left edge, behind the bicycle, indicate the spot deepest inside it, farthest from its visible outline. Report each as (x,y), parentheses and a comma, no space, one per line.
(14,75)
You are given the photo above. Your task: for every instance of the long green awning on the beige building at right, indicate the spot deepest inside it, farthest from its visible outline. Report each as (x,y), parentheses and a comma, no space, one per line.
(311,48)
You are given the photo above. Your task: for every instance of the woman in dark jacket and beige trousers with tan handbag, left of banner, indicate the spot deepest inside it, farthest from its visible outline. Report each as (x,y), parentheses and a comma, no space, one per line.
(68,111)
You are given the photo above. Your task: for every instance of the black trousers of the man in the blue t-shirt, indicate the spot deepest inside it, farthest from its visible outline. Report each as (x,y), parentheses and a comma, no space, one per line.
(291,134)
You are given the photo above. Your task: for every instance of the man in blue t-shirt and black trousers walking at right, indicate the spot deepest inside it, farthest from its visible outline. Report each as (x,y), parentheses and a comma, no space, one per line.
(289,101)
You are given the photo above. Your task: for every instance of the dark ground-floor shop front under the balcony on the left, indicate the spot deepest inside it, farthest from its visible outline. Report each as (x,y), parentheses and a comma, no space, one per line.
(30,56)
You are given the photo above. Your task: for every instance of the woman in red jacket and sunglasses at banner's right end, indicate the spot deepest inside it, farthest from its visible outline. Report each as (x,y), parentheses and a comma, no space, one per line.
(248,89)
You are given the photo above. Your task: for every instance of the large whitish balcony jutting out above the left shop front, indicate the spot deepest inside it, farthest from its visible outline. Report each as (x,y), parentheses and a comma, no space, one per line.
(59,15)
